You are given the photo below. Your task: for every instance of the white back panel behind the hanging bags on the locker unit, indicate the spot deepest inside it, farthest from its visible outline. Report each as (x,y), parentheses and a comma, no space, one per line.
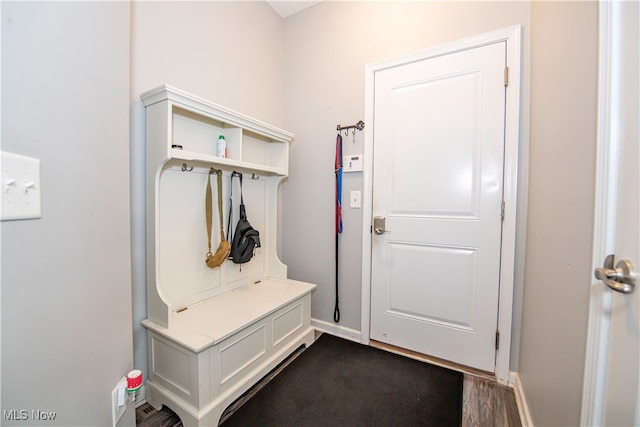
(183,277)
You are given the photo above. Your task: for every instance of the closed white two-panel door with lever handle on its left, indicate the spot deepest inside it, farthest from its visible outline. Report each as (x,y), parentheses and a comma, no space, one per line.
(438,182)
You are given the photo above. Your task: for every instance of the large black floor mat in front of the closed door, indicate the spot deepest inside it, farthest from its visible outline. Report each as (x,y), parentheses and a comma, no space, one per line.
(336,382)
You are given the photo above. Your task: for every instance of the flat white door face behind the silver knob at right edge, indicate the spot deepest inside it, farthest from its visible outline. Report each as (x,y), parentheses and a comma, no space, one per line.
(622,403)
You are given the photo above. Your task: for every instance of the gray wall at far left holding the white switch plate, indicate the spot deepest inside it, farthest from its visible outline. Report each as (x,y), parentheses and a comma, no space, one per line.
(66,285)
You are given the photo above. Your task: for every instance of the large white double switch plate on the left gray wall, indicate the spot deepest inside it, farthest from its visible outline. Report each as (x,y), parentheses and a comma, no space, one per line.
(20,194)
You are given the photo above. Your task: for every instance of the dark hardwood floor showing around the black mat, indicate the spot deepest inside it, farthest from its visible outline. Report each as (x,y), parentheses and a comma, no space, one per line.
(484,403)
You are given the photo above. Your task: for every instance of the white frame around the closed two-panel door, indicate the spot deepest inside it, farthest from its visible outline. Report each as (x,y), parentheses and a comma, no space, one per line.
(515,180)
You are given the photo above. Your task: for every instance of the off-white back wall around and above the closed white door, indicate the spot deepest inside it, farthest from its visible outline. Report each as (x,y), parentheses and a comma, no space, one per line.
(326,50)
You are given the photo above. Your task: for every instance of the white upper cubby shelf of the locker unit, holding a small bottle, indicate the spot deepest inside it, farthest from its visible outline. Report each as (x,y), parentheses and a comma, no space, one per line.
(194,124)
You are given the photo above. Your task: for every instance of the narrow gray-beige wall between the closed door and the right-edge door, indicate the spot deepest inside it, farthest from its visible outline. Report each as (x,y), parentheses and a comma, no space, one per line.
(564,52)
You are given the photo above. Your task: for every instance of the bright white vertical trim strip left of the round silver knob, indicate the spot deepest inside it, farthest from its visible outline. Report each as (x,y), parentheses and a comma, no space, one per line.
(606,190)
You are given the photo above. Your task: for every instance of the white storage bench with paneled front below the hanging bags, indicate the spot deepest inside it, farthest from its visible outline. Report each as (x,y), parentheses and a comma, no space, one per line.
(217,349)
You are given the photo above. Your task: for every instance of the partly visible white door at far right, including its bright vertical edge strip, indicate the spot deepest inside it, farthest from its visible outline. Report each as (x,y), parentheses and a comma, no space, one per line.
(612,376)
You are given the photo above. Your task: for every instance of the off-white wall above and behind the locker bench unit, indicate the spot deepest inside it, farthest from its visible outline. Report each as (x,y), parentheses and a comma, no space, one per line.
(228,52)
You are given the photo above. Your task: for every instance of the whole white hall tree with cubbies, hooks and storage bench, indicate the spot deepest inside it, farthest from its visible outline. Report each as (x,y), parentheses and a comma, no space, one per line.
(213,333)
